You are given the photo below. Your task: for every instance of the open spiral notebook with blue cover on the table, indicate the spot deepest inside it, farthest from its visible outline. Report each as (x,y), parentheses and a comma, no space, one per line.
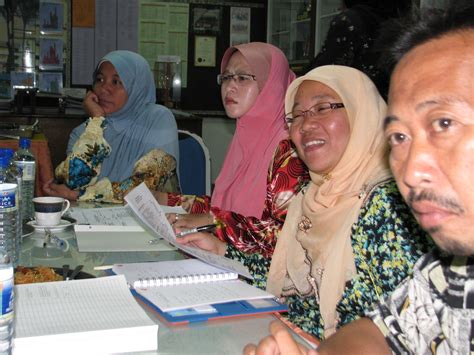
(191,290)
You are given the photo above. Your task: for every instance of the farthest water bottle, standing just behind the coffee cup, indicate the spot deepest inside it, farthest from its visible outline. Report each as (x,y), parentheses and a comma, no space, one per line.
(25,161)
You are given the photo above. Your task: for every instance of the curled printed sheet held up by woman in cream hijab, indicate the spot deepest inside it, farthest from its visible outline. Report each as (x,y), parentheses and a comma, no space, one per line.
(145,206)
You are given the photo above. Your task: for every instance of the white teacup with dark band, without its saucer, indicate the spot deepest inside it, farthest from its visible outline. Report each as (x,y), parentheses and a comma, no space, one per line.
(49,210)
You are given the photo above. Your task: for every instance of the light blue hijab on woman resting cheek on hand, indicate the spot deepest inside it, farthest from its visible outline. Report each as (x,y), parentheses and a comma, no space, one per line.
(140,125)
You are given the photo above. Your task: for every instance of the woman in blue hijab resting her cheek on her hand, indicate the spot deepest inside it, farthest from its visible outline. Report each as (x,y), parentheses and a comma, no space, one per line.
(127,140)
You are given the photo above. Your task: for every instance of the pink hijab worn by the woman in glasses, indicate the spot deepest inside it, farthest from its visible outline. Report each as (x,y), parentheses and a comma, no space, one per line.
(242,183)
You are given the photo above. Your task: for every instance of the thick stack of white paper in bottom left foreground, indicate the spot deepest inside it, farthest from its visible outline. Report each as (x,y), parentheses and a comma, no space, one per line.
(91,316)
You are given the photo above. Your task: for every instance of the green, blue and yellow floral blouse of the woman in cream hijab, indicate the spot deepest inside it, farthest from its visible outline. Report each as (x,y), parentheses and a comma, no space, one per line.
(387,242)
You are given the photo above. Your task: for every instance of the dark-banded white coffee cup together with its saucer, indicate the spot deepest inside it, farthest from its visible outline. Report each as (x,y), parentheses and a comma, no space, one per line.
(49,214)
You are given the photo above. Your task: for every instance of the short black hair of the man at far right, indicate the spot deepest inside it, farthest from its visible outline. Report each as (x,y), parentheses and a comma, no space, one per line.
(420,26)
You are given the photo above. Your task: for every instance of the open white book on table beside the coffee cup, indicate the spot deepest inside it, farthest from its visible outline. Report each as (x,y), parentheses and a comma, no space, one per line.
(113,229)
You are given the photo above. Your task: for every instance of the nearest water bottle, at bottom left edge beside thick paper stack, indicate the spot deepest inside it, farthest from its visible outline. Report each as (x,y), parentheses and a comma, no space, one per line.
(6,314)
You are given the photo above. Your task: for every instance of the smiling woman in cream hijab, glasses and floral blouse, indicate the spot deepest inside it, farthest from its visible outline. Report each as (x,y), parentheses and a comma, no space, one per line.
(348,238)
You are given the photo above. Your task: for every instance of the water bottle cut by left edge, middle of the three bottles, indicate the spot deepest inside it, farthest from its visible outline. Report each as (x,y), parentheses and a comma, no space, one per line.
(9,217)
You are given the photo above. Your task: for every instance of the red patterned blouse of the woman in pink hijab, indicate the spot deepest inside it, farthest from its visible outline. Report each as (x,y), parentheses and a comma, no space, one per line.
(286,176)
